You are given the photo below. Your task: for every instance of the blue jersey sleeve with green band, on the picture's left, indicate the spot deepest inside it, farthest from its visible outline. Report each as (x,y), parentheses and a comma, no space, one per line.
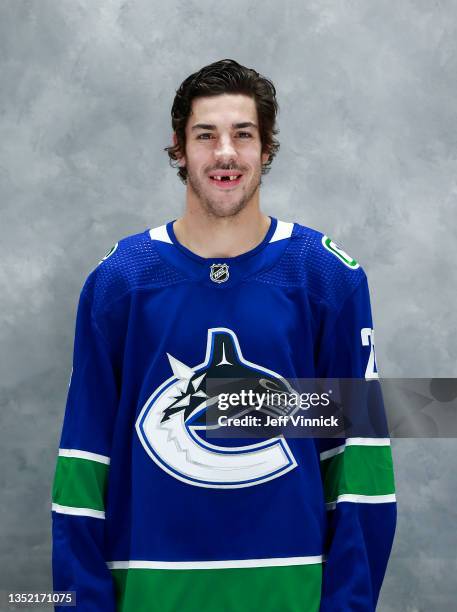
(81,475)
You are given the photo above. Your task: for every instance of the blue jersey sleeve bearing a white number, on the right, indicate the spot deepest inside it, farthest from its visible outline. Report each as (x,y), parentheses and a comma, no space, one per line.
(357,471)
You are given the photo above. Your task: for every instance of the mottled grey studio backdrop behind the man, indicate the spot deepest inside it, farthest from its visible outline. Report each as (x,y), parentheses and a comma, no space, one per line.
(367,91)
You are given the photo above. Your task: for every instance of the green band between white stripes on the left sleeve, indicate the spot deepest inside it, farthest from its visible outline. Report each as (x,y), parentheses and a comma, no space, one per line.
(80,483)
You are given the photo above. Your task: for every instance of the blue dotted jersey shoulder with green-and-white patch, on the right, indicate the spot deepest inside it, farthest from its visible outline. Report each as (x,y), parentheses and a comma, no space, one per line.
(317,263)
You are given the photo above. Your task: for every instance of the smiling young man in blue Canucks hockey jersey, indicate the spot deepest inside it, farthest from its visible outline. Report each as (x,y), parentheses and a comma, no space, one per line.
(150,513)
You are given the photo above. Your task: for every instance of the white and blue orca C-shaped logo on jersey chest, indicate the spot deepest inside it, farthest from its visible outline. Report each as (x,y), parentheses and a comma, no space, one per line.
(172,419)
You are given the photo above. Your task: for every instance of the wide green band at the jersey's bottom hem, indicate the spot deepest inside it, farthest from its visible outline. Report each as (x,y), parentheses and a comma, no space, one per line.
(268,589)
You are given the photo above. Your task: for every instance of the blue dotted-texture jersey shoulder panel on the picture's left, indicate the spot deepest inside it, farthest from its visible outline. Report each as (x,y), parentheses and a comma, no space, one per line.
(131,263)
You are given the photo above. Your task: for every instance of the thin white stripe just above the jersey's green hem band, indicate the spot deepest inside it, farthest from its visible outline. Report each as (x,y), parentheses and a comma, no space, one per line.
(222,564)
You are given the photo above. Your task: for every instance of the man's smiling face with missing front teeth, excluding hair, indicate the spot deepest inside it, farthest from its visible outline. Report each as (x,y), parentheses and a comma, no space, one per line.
(222,138)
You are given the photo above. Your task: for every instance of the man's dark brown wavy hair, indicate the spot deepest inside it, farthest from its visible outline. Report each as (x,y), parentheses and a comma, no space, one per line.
(222,77)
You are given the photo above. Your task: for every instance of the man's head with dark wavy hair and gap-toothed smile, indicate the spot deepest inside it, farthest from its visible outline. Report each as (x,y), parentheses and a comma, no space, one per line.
(223,119)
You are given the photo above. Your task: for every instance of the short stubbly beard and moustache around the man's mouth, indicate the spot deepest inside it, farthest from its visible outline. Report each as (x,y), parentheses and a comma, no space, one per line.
(217,207)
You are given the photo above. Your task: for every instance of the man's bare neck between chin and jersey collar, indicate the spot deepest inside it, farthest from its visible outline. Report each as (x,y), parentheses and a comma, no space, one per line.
(209,236)
